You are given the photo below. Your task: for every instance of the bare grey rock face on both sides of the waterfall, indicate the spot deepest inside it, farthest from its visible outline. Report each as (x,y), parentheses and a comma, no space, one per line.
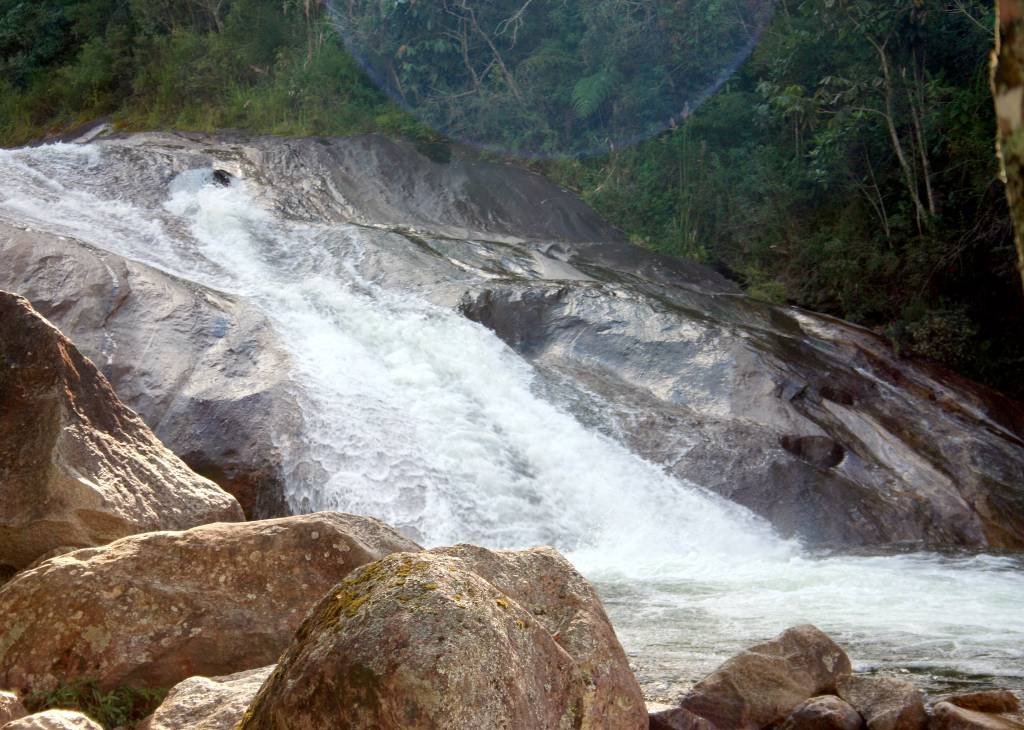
(809,422)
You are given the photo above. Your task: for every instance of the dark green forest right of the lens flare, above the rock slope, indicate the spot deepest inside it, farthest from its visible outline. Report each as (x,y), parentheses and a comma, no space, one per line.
(847,168)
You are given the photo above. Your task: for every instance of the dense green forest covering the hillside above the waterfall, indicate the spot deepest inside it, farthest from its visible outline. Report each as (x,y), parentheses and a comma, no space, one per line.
(847,166)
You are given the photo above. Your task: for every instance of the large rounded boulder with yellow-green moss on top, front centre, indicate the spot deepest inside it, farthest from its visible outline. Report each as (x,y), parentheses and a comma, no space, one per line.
(423,641)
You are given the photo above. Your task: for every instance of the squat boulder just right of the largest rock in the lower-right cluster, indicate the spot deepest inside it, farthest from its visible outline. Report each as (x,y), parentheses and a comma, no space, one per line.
(885,703)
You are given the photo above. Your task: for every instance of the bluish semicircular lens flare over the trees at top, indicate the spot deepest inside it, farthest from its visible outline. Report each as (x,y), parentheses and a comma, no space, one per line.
(541,79)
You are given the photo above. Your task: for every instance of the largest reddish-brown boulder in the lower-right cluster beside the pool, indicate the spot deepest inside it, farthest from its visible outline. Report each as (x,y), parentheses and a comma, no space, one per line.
(764,684)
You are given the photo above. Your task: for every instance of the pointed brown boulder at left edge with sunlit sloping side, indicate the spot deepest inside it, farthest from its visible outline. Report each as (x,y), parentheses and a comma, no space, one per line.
(77,467)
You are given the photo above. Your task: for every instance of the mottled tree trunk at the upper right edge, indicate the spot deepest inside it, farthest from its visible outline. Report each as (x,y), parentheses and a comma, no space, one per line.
(1008,91)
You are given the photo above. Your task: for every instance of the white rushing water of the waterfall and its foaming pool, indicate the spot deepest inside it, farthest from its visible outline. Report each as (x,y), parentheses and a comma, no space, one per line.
(429,421)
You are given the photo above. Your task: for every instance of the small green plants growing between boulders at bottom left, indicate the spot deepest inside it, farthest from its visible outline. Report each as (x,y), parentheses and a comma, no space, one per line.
(124,707)
